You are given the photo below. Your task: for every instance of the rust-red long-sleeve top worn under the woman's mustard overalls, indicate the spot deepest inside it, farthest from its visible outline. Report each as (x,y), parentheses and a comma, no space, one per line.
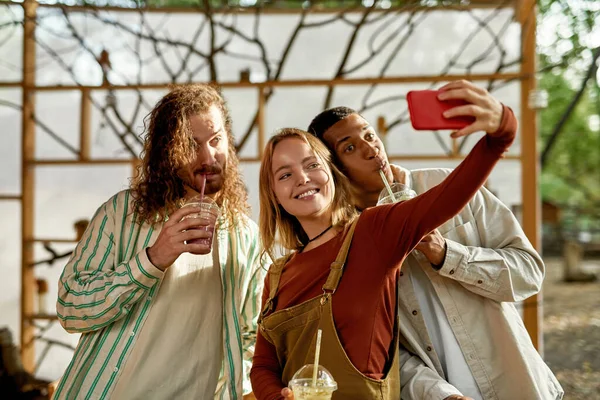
(365,302)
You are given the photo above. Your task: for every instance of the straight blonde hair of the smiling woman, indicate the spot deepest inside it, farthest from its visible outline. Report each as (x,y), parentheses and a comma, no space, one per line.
(274,219)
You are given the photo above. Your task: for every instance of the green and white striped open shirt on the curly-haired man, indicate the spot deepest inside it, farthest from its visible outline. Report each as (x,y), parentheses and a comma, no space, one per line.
(107,289)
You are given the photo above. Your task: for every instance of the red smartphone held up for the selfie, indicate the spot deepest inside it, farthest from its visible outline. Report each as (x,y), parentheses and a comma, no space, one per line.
(426,111)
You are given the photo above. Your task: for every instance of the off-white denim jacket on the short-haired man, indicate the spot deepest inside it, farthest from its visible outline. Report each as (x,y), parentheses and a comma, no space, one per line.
(489,265)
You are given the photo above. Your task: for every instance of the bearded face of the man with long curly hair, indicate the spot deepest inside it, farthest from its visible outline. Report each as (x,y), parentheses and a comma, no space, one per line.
(208,132)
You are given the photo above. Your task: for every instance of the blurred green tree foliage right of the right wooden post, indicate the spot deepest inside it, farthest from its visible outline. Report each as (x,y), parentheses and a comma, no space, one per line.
(569,50)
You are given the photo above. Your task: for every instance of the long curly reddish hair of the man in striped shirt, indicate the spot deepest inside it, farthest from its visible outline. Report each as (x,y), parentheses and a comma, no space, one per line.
(156,188)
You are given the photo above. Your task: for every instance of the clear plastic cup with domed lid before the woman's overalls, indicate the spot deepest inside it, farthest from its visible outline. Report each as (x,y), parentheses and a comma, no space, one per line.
(302,384)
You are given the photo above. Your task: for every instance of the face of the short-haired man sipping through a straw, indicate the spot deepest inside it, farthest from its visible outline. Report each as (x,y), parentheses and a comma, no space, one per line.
(359,150)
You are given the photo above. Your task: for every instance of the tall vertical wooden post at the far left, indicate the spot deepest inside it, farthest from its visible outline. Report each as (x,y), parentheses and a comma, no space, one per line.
(28,184)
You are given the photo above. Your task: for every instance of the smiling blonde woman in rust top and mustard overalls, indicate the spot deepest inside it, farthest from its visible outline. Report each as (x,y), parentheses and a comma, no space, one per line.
(341,273)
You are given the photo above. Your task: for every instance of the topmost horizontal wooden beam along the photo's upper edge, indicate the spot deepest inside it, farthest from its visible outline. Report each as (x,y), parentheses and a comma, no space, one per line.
(473,5)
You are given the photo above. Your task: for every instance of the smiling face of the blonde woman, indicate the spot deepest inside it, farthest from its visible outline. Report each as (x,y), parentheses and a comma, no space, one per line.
(301,182)
